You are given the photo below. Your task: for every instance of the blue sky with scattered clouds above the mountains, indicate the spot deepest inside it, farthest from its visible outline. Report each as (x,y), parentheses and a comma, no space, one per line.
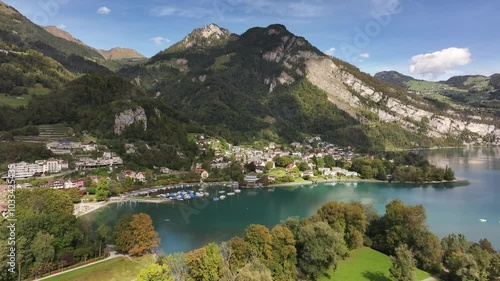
(427,39)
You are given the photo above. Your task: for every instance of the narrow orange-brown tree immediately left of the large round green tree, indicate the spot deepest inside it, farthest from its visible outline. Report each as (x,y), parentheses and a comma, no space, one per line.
(284,255)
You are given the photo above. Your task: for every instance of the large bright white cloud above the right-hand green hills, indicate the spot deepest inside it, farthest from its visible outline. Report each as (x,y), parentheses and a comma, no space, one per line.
(439,62)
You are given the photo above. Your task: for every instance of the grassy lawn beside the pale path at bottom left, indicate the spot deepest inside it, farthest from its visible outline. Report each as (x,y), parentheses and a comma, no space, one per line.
(118,269)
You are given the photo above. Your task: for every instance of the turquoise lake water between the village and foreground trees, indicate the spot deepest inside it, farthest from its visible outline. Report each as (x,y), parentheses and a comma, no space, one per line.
(449,209)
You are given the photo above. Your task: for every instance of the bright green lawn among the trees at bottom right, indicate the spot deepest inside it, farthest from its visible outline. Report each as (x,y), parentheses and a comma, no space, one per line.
(365,264)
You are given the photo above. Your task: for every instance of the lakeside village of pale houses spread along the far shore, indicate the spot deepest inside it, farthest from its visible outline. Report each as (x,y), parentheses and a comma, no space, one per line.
(258,166)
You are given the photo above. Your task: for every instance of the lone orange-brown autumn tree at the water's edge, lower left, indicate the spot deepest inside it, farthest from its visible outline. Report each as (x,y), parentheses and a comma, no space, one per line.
(136,235)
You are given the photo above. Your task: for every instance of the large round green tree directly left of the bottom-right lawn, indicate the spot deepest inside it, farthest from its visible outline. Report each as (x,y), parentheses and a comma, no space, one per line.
(319,248)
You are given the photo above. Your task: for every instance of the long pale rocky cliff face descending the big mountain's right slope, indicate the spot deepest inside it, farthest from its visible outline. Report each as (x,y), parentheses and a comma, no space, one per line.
(350,94)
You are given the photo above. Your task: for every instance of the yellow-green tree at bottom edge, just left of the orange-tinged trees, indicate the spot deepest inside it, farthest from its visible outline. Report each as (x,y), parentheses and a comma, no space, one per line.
(205,264)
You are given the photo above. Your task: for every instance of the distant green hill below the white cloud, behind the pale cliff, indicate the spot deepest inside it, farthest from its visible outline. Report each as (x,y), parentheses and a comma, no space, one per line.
(477,92)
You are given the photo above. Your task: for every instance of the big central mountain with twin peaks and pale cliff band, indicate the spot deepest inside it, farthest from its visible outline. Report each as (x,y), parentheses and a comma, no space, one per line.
(268,83)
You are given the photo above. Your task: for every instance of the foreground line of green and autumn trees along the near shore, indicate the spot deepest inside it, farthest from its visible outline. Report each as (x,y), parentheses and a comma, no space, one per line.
(303,249)
